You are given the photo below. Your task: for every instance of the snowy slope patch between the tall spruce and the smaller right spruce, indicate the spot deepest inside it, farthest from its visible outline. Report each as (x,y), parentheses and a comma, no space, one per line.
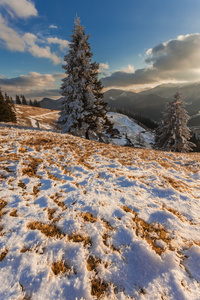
(137,135)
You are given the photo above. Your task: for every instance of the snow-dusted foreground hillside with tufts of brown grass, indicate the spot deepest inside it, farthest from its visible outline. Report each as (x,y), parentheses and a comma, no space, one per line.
(84,220)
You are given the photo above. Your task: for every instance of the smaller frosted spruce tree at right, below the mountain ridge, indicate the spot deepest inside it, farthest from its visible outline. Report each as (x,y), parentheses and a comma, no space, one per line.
(173,133)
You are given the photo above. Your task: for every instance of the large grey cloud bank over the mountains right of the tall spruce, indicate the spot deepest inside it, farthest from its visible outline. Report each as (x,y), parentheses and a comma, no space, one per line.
(176,60)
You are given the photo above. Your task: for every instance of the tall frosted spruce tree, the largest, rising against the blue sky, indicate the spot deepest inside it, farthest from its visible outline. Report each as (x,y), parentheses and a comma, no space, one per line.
(83,110)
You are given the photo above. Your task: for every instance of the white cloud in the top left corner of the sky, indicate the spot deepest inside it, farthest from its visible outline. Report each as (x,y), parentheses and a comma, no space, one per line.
(21,8)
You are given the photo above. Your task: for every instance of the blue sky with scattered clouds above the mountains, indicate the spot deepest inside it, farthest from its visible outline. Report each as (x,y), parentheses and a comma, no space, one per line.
(138,43)
